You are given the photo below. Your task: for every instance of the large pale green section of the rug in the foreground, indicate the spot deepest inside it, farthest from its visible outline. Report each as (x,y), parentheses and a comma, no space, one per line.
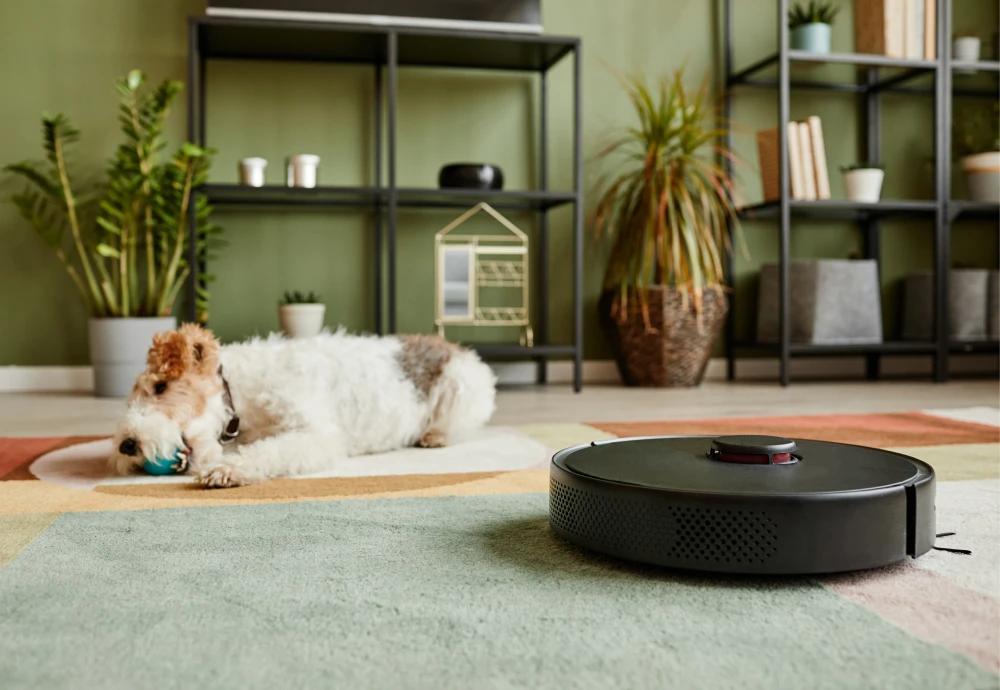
(416,593)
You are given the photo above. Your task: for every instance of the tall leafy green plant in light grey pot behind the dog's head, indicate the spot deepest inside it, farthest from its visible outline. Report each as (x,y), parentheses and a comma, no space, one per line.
(124,243)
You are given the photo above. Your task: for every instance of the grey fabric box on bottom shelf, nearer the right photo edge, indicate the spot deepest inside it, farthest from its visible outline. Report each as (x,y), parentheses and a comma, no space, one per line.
(968,305)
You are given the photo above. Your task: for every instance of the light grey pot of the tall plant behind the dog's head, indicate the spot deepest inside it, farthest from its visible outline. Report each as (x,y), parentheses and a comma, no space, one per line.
(118,349)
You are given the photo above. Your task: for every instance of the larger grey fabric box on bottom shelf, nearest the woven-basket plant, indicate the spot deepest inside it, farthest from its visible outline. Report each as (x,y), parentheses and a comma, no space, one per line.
(833,302)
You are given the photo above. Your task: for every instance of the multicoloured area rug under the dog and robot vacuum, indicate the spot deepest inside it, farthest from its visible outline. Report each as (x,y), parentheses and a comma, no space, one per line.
(436,569)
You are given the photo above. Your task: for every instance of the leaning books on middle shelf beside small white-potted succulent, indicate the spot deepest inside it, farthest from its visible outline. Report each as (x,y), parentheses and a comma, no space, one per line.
(808,174)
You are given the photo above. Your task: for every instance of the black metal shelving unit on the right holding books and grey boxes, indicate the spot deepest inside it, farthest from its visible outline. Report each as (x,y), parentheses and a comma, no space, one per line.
(884,74)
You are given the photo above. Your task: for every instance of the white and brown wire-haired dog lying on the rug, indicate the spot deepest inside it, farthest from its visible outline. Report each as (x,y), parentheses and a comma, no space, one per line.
(266,408)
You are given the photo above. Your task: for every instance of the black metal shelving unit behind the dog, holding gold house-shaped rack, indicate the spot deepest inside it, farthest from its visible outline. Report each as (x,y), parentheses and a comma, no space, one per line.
(387,49)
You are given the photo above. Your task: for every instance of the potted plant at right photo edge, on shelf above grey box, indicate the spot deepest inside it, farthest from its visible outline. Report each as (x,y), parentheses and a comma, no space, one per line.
(976,142)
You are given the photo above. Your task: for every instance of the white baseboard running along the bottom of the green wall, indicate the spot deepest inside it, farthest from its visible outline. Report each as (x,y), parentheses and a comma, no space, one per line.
(14,379)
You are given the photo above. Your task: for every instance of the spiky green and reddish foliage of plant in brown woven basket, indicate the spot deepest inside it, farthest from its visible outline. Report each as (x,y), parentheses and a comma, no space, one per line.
(667,206)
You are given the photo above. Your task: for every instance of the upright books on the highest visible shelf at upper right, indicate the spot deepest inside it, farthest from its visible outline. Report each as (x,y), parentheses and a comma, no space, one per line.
(904,29)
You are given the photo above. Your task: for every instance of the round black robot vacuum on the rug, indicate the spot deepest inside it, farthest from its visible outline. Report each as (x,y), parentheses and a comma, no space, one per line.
(743,504)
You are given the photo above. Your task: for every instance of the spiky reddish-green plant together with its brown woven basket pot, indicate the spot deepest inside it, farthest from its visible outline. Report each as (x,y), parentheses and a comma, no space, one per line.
(666,208)
